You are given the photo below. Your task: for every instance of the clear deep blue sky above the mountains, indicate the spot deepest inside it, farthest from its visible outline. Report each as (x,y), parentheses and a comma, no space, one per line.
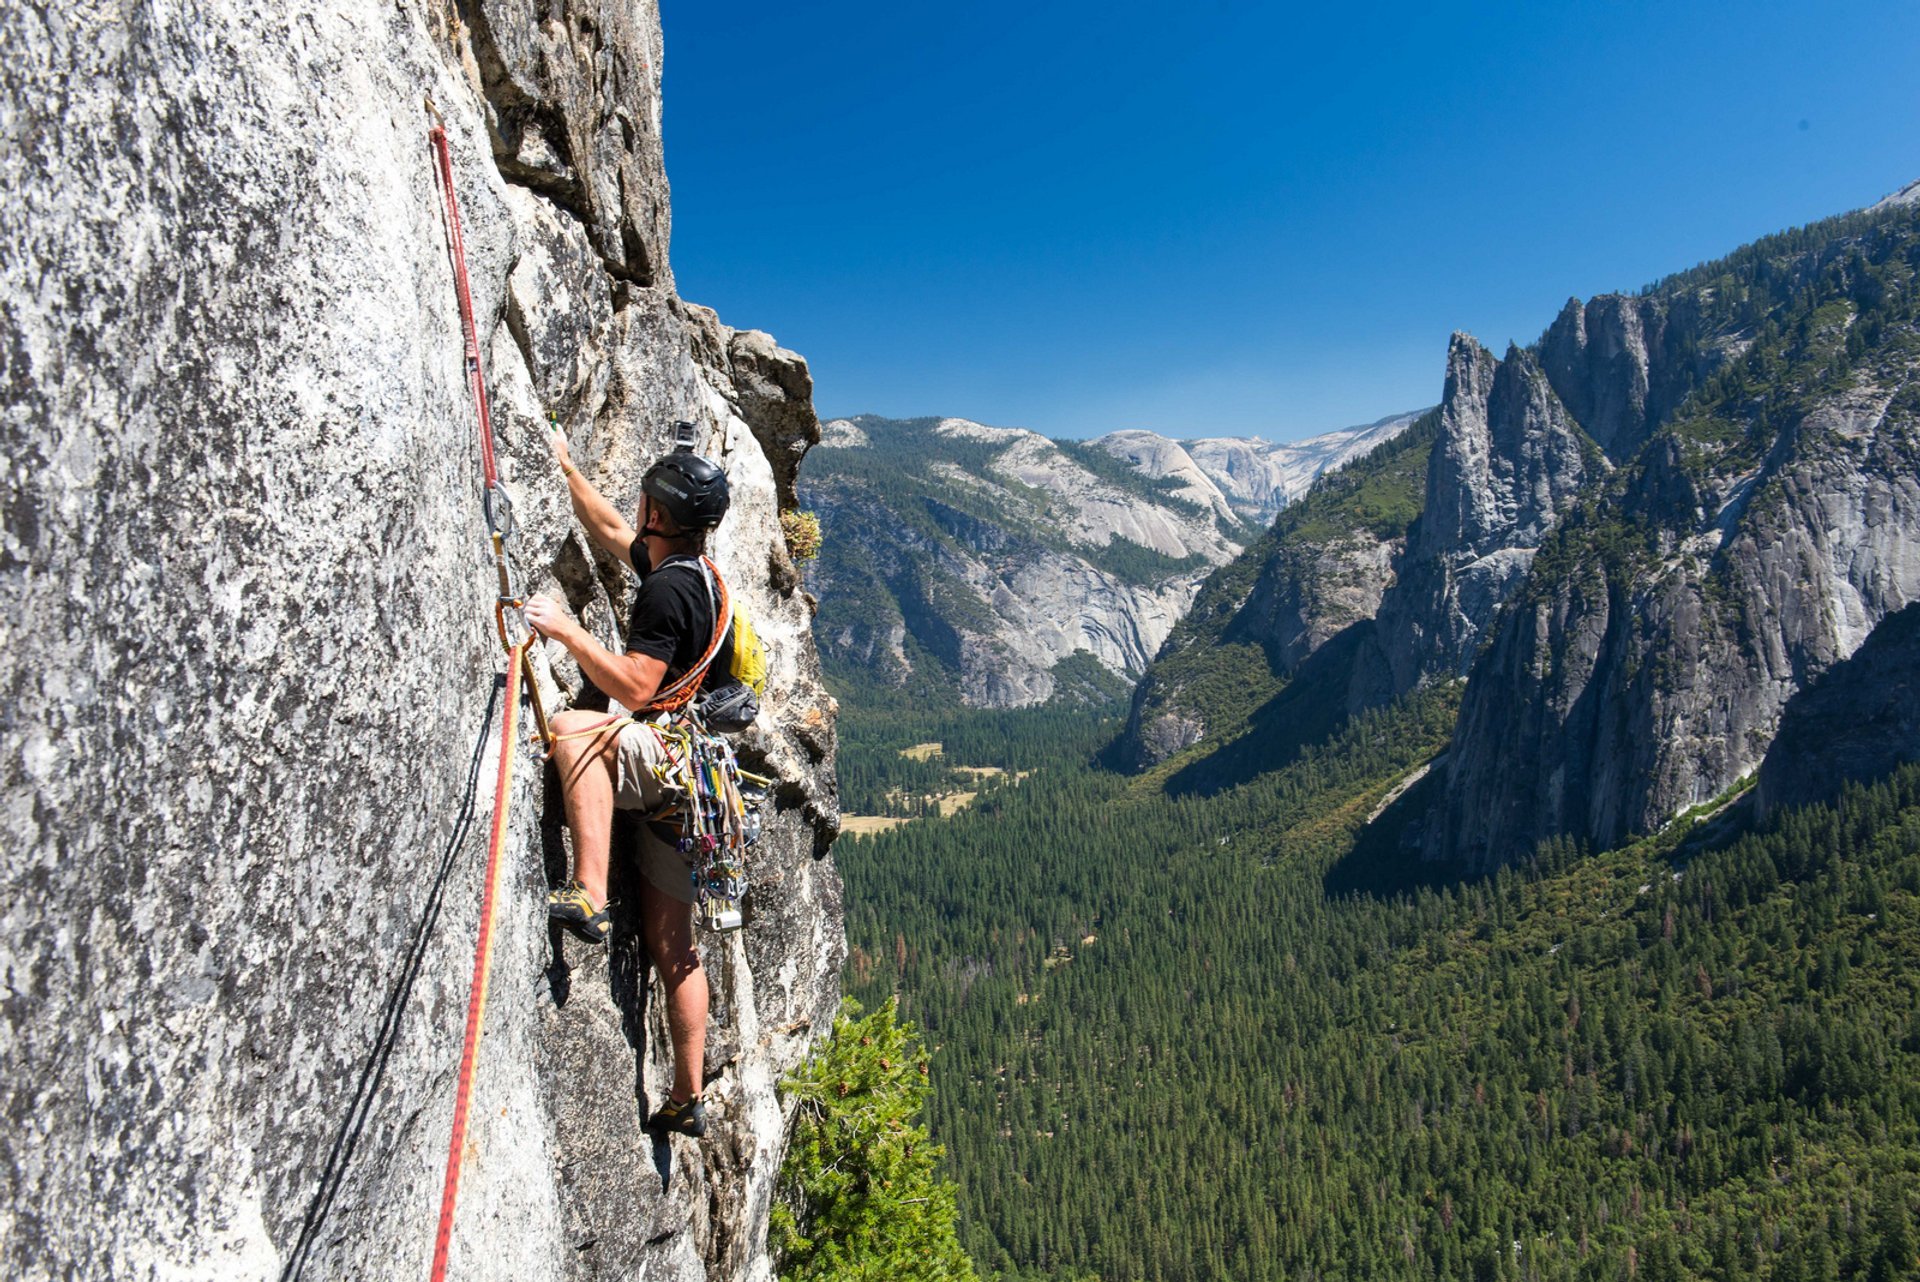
(1234,218)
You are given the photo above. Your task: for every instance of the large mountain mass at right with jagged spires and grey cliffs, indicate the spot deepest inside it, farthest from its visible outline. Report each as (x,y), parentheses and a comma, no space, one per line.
(1637,604)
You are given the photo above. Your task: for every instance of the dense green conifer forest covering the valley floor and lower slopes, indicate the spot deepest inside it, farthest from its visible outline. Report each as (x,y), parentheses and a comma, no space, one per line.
(1191,1032)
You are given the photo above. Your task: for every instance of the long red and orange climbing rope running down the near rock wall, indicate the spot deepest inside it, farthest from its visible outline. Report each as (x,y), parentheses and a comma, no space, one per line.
(517,640)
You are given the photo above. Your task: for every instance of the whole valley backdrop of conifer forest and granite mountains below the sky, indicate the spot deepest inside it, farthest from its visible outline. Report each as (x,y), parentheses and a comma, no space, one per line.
(1508,863)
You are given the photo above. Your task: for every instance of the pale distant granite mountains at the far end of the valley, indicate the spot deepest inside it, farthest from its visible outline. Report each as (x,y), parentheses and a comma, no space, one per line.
(984,559)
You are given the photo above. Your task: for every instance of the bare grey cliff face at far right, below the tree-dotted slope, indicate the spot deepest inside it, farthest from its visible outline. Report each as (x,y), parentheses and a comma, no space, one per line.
(1631,688)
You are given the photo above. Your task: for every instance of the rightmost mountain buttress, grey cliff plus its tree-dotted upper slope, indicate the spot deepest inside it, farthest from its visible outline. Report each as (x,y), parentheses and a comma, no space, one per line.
(1756,546)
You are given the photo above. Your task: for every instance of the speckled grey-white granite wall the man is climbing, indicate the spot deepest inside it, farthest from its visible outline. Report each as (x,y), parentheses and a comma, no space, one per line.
(252,667)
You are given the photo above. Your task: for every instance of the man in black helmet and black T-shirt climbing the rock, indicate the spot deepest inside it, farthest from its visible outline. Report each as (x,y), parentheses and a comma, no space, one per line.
(669,630)
